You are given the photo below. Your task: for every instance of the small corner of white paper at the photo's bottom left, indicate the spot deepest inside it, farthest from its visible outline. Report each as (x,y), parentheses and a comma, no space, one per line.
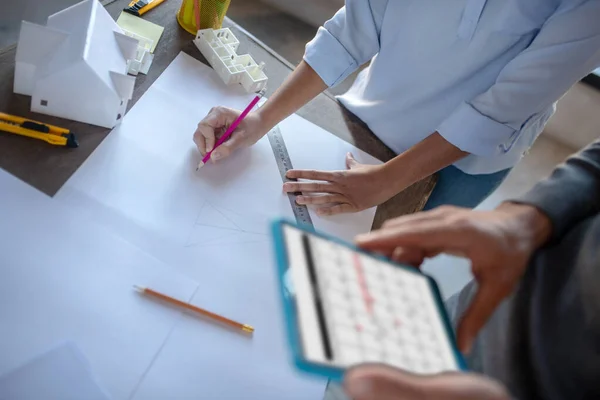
(61,373)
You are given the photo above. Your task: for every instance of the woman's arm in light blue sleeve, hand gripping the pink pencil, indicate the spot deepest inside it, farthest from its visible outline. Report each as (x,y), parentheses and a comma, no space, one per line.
(346,41)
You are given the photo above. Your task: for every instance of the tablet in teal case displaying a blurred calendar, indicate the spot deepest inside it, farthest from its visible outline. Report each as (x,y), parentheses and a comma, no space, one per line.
(344,306)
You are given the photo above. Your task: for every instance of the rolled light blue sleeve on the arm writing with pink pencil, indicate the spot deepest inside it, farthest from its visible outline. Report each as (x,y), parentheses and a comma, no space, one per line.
(346,41)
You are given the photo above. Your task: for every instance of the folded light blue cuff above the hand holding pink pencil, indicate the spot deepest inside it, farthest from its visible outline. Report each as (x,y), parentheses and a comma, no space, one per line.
(328,57)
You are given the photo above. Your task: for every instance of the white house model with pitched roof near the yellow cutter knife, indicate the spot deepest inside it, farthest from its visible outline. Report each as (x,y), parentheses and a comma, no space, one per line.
(75,67)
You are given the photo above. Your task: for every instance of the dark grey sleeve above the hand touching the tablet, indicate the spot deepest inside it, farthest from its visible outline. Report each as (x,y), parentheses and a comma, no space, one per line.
(571,193)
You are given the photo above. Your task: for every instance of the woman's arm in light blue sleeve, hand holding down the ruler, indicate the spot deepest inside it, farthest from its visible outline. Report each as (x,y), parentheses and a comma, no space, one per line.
(566,48)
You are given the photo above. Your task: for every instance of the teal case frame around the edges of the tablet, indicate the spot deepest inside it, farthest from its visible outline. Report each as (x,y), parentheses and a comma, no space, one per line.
(289,305)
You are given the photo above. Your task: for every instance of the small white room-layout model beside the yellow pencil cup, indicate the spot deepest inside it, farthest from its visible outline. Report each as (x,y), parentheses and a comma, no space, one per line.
(219,46)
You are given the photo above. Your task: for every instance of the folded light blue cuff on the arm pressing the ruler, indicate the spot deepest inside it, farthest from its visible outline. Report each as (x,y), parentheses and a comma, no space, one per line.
(475,133)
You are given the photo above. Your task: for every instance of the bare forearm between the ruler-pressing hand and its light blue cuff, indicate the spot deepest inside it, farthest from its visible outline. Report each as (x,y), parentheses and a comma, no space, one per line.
(422,160)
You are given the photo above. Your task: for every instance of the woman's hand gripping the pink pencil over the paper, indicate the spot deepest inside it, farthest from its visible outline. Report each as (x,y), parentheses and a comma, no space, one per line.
(215,124)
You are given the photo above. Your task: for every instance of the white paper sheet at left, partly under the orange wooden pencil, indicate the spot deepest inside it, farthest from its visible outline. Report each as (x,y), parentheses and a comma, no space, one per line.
(64,278)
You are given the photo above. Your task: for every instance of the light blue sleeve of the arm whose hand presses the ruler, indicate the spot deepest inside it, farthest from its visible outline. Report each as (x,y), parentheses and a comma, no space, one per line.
(566,48)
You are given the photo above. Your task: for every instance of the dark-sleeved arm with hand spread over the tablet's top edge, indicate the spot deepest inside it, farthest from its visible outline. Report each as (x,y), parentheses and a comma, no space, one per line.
(499,243)
